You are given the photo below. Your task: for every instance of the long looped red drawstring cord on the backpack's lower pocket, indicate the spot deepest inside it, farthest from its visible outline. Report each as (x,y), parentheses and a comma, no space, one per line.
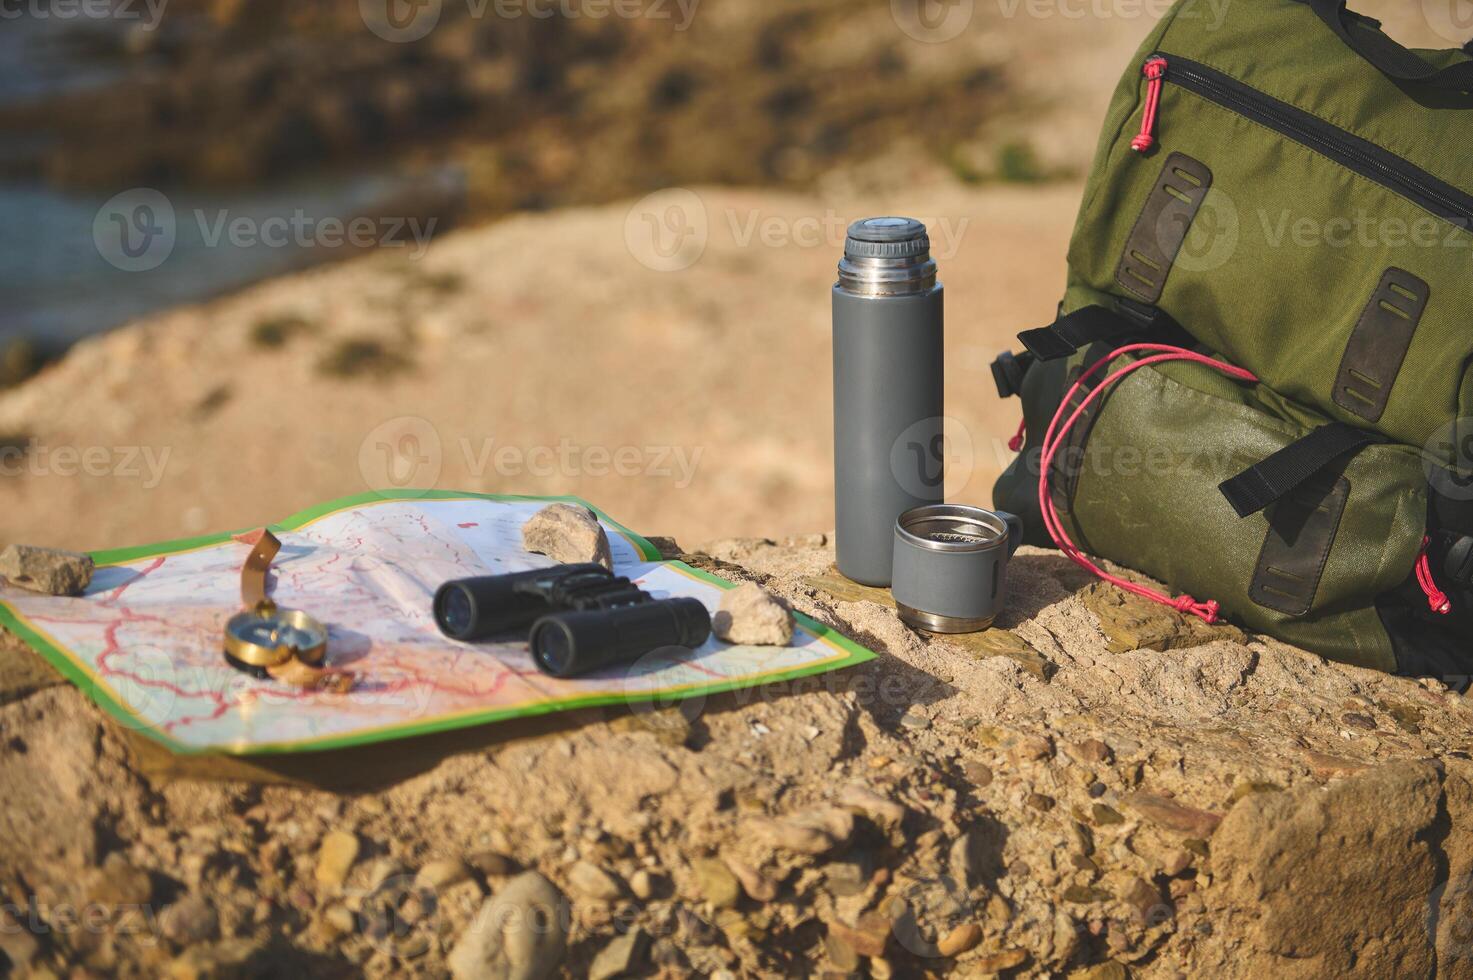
(1055,438)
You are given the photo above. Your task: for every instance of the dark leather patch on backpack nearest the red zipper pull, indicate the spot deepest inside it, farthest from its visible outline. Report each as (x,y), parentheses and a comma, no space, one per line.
(1163,226)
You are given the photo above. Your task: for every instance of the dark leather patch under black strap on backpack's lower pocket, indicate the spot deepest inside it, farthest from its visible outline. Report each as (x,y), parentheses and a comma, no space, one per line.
(1301,531)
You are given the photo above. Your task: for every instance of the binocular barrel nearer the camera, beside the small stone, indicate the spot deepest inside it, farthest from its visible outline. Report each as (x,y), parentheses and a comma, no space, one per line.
(575,643)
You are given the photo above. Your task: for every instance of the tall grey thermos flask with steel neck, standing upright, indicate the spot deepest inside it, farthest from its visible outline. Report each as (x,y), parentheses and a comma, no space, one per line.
(887,390)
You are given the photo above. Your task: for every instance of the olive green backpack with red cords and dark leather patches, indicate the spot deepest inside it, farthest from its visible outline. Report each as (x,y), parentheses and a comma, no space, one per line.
(1259,388)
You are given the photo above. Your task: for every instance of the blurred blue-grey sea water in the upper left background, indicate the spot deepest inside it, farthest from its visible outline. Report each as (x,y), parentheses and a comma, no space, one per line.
(67,265)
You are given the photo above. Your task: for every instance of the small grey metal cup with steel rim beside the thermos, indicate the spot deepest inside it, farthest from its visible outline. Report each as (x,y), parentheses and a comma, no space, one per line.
(951,567)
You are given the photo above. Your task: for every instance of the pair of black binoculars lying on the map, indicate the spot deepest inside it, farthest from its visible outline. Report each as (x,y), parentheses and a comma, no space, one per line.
(580,618)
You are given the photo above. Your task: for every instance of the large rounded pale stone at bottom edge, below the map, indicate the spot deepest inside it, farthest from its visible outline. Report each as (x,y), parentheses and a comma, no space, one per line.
(521,934)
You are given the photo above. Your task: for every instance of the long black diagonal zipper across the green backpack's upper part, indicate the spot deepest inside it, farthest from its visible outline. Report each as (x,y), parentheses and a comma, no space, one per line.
(1350,151)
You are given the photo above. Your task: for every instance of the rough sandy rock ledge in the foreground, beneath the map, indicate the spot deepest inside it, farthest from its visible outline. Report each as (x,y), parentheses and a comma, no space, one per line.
(1051,798)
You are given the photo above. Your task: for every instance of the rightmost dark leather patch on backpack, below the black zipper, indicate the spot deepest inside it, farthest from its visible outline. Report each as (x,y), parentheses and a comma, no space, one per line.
(1379,344)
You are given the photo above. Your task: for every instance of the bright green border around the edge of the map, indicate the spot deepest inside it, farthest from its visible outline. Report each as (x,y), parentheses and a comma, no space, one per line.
(80,676)
